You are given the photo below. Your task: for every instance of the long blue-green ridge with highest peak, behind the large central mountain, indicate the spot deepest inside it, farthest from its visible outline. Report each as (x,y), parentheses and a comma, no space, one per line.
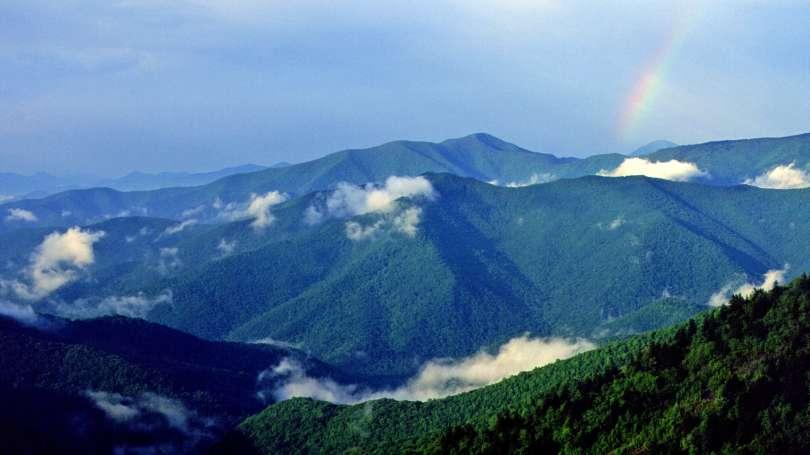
(479,156)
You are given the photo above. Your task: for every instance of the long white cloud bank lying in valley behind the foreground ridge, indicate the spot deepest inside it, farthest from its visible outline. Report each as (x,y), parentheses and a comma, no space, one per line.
(436,378)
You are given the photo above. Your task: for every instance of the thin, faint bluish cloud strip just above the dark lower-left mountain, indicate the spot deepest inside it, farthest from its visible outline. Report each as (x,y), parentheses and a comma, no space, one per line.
(134,306)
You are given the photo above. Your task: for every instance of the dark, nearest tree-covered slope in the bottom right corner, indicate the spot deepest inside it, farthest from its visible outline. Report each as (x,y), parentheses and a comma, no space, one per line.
(737,382)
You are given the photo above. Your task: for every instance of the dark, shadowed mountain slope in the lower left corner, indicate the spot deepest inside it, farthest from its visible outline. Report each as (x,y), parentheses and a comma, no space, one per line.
(93,385)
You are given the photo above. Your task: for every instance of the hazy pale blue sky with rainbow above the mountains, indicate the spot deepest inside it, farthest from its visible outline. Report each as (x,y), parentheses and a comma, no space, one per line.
(111,86)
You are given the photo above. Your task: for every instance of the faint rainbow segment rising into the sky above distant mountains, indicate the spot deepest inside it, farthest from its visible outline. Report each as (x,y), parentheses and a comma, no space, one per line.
(640,101)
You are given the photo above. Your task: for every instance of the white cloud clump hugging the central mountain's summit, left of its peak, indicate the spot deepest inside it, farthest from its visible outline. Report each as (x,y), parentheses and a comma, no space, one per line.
(351,200)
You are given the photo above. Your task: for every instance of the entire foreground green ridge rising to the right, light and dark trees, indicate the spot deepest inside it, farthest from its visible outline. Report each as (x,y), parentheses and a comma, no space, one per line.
(735,380)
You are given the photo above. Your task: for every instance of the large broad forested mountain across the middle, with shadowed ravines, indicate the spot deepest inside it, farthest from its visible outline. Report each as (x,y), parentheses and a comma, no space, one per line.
(592,257)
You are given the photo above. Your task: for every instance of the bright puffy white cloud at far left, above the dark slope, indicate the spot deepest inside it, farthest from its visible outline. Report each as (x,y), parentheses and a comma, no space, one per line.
(56,262)
